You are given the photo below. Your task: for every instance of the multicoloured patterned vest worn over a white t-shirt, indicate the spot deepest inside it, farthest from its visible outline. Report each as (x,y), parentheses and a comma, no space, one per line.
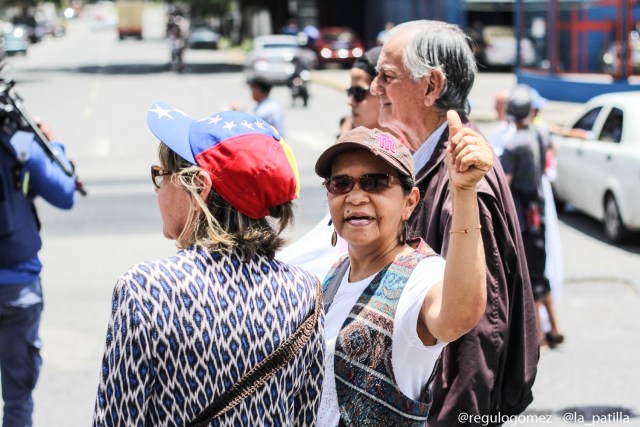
(368,394)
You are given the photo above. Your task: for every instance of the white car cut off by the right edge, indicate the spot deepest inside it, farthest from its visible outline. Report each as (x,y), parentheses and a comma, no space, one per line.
(600,174)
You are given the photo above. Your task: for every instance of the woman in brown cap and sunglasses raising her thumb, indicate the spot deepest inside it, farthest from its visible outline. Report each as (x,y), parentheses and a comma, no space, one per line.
(392,303)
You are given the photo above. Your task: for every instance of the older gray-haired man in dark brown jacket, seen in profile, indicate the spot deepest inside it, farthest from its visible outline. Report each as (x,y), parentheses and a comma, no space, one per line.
(425,69)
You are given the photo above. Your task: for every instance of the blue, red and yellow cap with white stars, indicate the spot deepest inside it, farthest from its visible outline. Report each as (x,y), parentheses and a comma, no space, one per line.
(251,166)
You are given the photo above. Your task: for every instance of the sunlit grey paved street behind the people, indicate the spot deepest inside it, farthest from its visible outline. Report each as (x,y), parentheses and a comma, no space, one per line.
(594,378)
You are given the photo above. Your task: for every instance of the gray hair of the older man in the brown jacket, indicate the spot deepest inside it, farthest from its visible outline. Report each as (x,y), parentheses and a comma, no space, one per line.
(445,47)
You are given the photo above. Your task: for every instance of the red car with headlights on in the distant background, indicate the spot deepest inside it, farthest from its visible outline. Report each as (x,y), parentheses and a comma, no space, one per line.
(338,45)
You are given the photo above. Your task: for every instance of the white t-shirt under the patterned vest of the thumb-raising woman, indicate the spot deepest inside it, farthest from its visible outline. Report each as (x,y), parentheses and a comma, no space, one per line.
(412,361)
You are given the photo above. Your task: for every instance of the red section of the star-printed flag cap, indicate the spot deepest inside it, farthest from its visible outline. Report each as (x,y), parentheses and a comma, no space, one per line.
(251,172)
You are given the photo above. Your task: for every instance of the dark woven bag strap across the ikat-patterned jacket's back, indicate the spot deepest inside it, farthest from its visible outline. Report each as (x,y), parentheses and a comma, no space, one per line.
(263,371)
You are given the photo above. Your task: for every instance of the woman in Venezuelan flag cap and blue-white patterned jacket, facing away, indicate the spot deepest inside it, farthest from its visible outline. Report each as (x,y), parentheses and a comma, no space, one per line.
(220,333)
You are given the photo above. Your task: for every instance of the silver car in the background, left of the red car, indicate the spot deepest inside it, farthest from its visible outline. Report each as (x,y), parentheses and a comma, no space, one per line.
(272,57)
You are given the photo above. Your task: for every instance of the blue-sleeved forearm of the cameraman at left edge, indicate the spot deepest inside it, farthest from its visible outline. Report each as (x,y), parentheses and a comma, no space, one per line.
(48,180)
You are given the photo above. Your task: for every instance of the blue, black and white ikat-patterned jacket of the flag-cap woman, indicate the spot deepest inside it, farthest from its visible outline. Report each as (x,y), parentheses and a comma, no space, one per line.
(185,328)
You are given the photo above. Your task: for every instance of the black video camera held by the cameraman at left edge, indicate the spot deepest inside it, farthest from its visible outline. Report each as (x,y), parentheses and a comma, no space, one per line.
(13,117)
